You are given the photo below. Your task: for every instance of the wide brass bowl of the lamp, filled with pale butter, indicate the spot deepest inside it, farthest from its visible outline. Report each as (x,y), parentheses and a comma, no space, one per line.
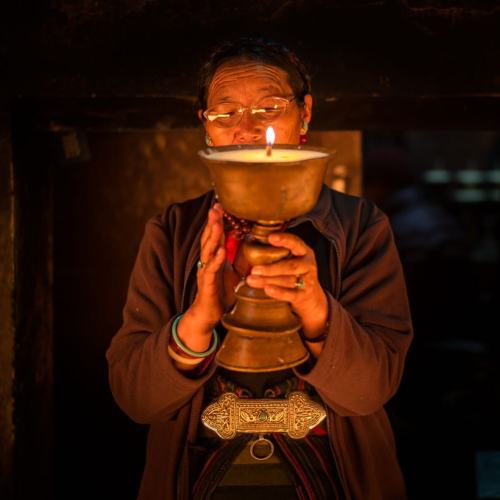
(257,187)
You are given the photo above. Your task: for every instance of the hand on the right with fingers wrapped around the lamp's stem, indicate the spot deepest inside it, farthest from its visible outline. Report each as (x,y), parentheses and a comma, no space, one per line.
(279,281)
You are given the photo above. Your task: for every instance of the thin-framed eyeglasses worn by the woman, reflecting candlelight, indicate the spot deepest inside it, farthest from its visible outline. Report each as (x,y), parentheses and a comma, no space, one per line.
(229,114)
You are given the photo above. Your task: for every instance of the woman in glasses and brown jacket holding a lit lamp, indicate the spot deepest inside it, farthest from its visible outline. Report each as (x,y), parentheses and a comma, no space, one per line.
(343,280)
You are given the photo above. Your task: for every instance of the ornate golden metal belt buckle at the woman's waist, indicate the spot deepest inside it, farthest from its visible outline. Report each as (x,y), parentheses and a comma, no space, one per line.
(296,415)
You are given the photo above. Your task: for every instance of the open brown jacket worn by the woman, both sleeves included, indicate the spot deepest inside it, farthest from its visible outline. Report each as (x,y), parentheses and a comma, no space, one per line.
(358,371)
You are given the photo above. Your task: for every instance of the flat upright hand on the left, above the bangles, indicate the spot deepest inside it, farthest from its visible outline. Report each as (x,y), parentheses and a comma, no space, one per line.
(195,327)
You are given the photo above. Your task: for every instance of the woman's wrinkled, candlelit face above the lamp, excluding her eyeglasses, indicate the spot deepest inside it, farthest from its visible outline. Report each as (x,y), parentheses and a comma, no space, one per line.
(247,83)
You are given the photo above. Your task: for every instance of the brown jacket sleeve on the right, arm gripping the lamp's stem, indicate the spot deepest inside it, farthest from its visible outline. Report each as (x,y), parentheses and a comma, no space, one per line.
(369,327)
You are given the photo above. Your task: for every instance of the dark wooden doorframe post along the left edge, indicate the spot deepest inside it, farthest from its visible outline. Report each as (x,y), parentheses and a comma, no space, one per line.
(26,340)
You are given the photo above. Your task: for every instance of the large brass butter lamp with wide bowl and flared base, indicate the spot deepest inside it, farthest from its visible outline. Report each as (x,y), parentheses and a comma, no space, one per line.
(267,187)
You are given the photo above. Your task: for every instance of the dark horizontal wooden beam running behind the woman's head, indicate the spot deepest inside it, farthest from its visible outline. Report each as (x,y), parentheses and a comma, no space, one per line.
(330,112)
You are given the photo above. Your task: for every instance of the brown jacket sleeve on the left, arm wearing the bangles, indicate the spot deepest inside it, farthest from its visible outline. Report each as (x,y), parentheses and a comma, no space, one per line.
(144,381)
